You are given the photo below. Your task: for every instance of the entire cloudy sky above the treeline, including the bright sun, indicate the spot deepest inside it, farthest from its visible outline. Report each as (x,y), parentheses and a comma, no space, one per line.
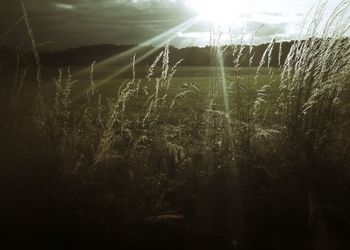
(65,24)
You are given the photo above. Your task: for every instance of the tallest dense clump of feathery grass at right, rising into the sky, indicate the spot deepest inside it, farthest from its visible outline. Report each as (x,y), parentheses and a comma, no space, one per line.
(314,75)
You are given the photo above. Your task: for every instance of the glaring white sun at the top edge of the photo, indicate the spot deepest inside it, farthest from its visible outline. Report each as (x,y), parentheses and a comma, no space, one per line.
(219,11)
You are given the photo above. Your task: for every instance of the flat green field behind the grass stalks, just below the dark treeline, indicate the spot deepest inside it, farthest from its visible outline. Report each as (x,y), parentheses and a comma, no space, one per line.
(206,78)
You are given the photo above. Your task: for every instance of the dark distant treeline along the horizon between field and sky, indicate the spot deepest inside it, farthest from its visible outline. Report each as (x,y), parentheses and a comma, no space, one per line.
(120,55)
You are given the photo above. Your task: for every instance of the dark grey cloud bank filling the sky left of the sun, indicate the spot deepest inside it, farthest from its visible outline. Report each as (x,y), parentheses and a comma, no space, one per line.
(78,22)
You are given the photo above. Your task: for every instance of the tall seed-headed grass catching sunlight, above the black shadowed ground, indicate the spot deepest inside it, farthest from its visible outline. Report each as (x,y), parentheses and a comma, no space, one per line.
(148,155)
